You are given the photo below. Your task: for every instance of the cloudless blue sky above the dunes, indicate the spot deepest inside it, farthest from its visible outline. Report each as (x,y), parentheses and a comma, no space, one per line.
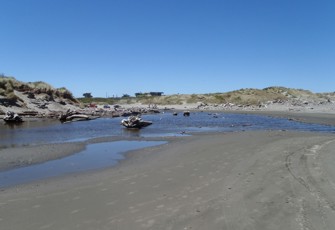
(114,47)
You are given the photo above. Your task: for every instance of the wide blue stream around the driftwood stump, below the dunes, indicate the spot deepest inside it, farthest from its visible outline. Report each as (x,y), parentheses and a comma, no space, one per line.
(164,124)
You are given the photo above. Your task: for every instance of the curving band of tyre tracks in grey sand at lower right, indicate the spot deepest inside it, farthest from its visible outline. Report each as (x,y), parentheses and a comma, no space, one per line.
(317,203)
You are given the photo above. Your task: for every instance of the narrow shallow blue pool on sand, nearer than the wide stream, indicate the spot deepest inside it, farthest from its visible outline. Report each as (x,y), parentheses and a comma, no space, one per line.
(95,156)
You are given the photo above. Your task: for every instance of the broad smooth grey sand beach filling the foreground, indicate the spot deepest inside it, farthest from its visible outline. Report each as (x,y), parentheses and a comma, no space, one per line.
(241,180)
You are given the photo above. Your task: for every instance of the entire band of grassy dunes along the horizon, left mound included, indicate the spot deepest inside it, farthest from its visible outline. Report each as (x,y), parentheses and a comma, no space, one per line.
(248,96)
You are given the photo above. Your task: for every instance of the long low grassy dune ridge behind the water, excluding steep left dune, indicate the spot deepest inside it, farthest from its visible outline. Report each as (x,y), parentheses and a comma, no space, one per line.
(248,96)
